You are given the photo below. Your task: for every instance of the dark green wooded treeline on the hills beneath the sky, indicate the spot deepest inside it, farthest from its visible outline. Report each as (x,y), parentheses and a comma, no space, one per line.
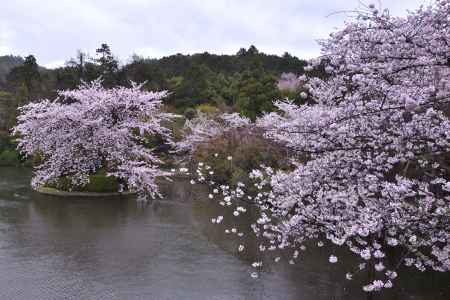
(245,82)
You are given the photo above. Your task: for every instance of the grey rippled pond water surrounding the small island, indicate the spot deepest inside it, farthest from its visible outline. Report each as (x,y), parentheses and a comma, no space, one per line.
(117,248)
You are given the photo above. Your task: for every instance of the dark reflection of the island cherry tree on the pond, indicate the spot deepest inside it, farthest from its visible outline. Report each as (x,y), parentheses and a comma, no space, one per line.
(94,232)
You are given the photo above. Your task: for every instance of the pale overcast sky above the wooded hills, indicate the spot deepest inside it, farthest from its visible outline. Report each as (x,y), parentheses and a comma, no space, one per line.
(53,30)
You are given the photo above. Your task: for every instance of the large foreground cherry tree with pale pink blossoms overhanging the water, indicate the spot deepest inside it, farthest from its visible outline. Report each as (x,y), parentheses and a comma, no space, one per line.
(374,173)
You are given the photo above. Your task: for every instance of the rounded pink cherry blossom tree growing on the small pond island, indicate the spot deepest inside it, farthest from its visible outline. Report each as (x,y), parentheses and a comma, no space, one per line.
(89,128)
